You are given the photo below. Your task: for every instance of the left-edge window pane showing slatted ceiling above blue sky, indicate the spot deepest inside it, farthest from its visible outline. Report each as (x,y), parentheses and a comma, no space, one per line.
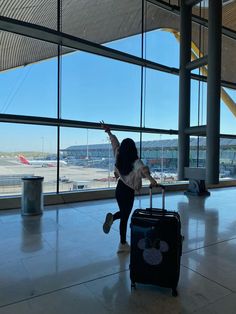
(30,90)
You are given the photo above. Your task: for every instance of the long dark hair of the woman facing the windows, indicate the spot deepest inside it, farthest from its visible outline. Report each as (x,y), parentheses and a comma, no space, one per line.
(126,156)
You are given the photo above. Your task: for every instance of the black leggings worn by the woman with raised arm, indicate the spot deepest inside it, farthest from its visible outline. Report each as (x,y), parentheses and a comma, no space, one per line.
(125,200)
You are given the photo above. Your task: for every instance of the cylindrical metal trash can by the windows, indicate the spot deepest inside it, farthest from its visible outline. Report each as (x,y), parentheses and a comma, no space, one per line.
(32,196)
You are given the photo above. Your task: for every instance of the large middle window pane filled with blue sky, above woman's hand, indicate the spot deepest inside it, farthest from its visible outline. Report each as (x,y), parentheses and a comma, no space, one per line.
(96,88)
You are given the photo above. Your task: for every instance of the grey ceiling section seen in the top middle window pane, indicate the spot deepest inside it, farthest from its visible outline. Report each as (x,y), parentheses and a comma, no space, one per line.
(102,21)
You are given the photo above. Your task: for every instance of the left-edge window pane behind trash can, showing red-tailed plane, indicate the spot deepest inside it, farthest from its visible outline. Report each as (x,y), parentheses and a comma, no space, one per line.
(27,150)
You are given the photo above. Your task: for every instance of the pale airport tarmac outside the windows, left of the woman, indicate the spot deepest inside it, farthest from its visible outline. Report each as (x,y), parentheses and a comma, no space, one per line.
(71,176)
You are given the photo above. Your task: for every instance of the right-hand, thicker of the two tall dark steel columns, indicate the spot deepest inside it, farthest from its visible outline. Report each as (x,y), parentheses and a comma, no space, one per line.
(213,92)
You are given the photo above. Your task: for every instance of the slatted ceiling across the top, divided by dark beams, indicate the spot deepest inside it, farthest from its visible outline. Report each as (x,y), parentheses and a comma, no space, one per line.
(103,21)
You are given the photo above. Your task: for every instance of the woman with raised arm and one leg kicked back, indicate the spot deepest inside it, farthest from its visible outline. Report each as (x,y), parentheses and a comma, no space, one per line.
(130,170)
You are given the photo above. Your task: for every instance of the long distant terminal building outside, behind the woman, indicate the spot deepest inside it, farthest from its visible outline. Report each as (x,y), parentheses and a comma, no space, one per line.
(159,154)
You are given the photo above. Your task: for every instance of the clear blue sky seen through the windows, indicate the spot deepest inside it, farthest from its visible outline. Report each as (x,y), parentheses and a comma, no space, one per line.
(96,88)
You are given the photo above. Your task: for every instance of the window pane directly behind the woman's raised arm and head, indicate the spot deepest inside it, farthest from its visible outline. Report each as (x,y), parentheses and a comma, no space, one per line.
(89,159)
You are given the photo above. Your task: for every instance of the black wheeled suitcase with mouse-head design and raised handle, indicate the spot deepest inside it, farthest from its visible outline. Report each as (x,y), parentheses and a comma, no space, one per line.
(156,246)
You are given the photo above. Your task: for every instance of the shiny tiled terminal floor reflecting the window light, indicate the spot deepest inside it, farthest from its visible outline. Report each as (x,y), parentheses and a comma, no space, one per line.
(62,262)
